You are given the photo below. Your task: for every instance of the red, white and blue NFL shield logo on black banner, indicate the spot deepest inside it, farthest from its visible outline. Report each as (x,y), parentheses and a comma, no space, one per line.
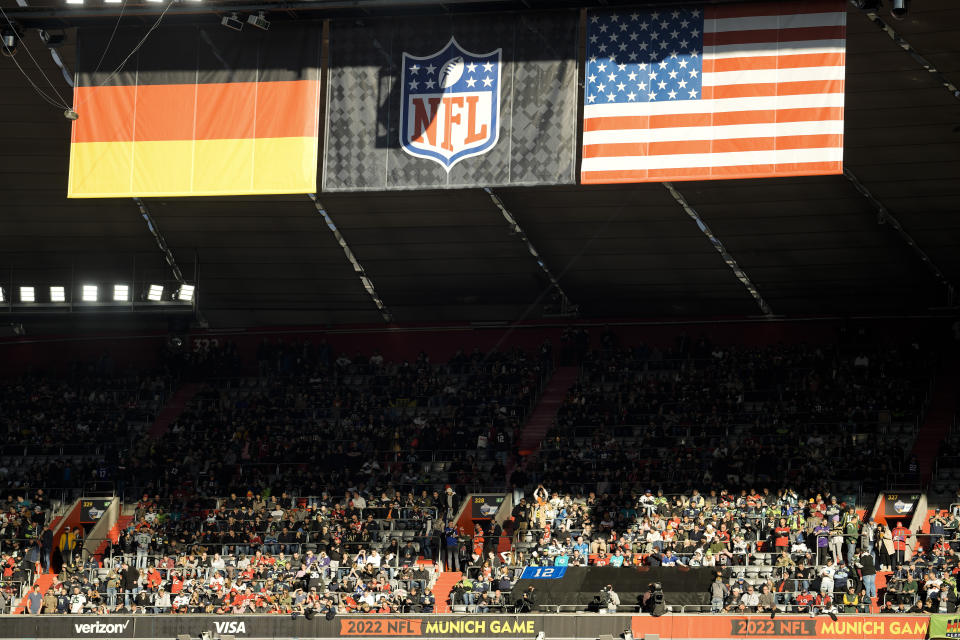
(450,104)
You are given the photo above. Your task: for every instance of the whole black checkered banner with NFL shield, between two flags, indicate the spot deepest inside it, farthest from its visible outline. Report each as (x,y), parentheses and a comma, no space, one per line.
(445,102)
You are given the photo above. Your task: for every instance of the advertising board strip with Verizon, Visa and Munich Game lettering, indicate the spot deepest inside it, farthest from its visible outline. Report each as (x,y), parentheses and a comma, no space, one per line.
(470,626)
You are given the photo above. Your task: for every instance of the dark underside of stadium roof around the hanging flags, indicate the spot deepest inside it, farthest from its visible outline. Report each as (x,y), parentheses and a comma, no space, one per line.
(810,245)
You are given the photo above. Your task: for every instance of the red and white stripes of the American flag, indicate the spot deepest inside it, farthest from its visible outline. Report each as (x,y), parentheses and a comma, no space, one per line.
(772,104)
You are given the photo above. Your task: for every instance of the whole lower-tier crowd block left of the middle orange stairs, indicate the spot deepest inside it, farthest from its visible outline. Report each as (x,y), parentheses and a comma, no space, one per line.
(264,554)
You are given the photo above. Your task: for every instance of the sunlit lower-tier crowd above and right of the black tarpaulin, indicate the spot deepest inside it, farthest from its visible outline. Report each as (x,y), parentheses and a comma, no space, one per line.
(770,549)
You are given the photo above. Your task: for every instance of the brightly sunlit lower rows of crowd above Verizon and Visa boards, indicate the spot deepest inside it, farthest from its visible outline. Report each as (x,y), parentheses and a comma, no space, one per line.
(256,583)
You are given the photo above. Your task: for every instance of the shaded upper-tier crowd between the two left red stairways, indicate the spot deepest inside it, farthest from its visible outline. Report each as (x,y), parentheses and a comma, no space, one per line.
(321,421)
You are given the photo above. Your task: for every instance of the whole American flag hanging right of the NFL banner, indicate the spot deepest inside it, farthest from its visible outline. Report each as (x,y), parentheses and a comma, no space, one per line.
(725,91)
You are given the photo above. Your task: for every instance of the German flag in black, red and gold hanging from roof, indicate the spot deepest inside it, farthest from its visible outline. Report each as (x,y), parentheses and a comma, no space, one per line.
(196,111)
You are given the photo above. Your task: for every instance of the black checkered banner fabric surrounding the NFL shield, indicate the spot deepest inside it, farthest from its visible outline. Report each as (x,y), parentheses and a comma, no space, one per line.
(537,116)
